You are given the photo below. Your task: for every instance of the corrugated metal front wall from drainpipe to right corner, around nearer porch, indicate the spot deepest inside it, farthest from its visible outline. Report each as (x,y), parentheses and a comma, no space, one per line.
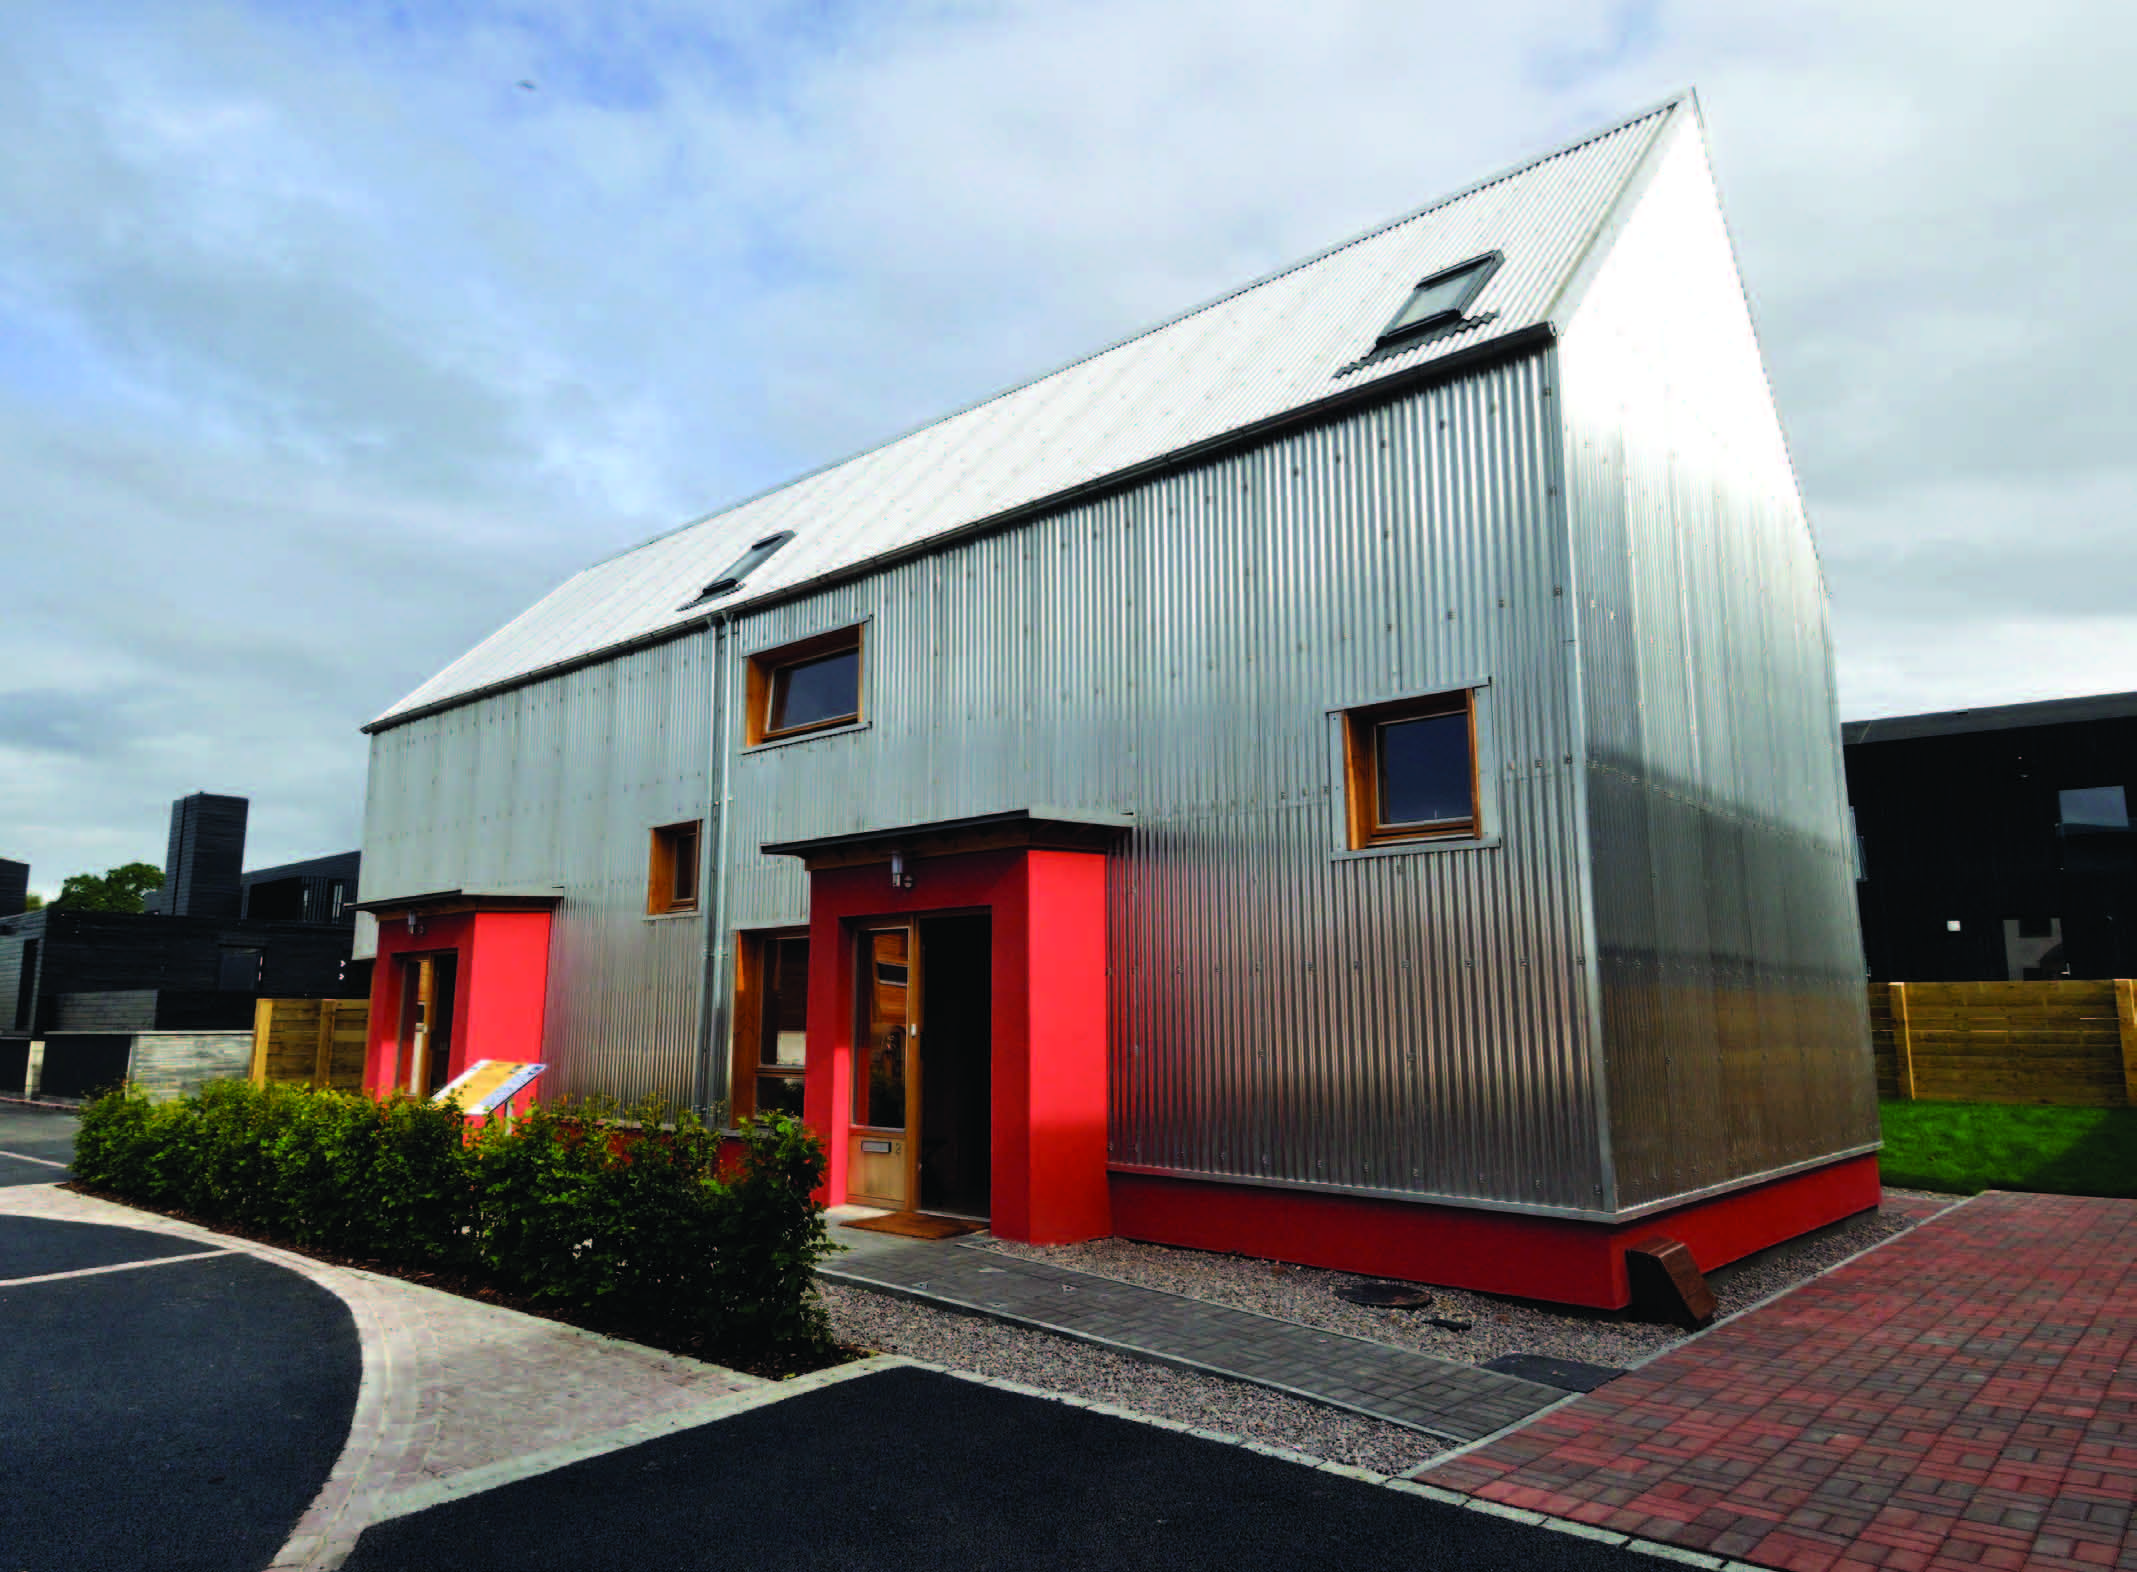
(1401,1024)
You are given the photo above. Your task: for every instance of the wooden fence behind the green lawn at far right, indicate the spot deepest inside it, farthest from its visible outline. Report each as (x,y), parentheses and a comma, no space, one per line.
(2065,1043)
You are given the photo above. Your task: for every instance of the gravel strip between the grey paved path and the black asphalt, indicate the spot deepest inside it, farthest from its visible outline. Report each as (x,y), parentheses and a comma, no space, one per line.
(1063,1366)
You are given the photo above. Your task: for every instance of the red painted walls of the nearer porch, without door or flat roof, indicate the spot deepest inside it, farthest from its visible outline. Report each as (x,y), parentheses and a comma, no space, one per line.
(1048,1022)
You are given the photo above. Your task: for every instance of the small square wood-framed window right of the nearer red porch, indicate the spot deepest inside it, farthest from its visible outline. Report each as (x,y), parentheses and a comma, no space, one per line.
(1411,770)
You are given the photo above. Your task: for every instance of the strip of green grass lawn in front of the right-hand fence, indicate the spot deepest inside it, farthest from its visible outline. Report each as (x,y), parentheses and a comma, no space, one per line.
(1965,1148)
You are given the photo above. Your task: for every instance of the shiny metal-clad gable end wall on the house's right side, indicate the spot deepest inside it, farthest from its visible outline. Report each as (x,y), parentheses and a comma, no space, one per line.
(1730,958)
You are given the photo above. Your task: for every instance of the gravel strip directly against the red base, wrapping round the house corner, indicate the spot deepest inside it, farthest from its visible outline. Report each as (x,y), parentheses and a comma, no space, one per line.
(1497,1325)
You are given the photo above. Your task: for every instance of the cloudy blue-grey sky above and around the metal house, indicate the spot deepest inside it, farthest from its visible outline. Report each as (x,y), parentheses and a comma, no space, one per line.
(332,336)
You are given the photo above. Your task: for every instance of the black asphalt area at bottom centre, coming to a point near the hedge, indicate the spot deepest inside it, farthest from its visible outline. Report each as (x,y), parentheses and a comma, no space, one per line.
(922,1473)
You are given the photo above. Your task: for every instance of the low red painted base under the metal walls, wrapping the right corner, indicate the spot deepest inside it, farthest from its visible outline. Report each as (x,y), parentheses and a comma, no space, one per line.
(1497,1253)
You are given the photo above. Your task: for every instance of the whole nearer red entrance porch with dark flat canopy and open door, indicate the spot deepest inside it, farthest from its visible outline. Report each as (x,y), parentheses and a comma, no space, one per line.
(958,1018)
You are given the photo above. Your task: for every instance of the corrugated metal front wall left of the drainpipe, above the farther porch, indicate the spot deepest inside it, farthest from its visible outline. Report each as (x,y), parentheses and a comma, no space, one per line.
(559,785)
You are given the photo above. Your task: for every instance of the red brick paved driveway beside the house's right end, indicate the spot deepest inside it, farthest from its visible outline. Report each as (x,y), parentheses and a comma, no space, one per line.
(1961,1398)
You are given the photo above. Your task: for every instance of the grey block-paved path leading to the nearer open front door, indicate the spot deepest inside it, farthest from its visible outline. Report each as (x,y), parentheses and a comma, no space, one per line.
(1403,1387)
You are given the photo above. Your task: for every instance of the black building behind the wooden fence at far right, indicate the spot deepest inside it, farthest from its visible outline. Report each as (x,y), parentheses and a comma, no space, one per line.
(1995,845)
